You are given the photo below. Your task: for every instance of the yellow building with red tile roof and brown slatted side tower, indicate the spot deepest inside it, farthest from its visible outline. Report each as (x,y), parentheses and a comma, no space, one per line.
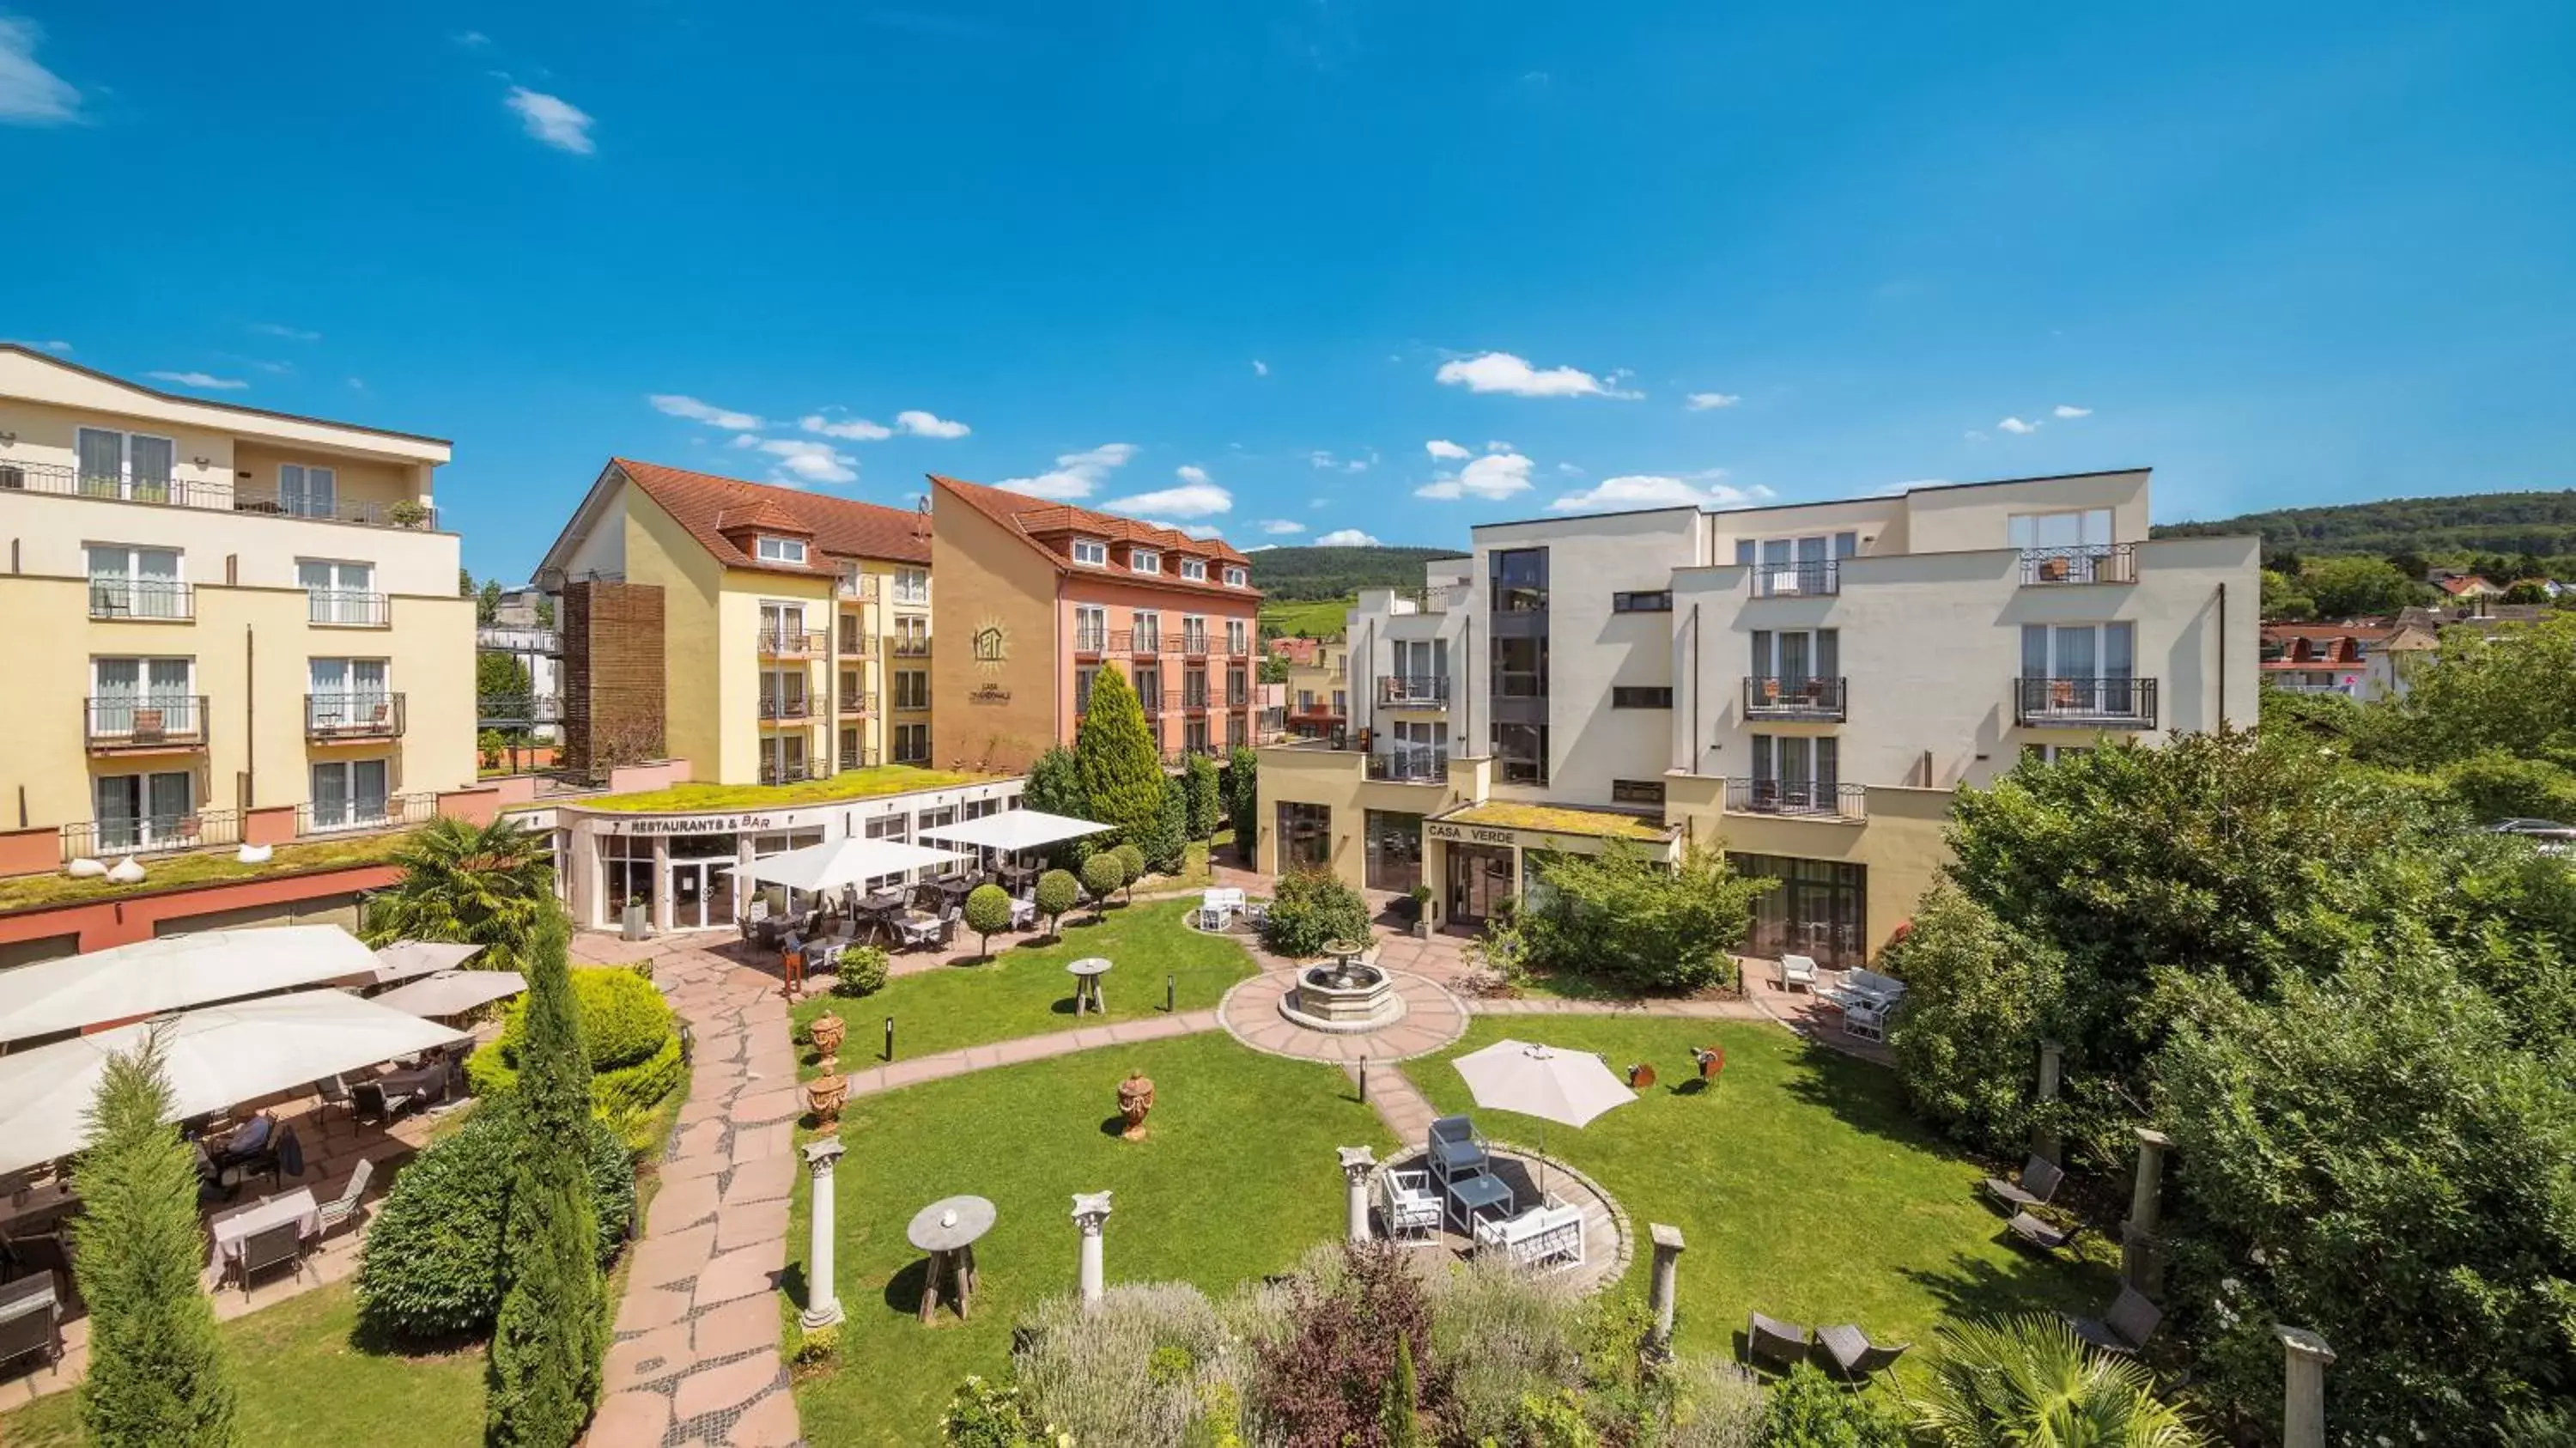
(759,633)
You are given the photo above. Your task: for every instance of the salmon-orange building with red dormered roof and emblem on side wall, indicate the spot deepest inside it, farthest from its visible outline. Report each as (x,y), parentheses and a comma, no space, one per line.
(1045,596)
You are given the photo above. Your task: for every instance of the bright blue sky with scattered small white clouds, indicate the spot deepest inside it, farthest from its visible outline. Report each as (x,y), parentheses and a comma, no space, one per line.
(1300,269)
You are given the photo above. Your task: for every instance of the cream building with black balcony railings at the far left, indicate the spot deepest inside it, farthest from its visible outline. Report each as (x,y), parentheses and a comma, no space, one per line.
(215,609)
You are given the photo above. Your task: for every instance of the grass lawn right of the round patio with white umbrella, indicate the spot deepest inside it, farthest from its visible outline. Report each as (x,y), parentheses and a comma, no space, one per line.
(1799,1184)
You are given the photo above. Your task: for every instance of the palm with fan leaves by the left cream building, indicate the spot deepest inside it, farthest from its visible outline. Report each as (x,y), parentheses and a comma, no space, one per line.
(491,885)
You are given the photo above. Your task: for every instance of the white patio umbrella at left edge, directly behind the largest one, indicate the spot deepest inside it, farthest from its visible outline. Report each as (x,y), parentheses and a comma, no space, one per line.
(174,973)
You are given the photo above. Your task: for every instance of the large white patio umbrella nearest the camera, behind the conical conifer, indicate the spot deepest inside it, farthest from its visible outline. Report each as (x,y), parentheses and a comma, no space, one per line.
(215,1058)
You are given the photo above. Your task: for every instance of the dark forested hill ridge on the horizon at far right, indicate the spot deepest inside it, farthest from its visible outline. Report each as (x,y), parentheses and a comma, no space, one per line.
(2541,524)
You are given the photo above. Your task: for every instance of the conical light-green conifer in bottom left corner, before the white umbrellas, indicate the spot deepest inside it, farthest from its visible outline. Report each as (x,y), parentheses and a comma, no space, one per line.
(158,1372)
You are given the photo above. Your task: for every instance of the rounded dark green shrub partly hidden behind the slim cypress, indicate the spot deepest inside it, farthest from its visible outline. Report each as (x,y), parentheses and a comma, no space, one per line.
(431,1259)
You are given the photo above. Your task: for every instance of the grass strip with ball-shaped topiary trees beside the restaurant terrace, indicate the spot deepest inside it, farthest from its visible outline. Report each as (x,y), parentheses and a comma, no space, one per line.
(1027,991)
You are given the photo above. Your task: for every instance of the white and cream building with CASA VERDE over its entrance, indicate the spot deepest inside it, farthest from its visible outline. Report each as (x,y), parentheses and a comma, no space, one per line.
(1802,687)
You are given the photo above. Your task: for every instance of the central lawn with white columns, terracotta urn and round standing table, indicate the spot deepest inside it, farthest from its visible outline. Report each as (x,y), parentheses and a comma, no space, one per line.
(1235,1181)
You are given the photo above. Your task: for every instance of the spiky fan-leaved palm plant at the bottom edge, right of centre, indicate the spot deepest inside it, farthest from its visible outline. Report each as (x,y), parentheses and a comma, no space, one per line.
(2029,1382)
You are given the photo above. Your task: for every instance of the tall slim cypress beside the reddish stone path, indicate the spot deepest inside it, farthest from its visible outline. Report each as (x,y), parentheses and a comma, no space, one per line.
(553,1326)
